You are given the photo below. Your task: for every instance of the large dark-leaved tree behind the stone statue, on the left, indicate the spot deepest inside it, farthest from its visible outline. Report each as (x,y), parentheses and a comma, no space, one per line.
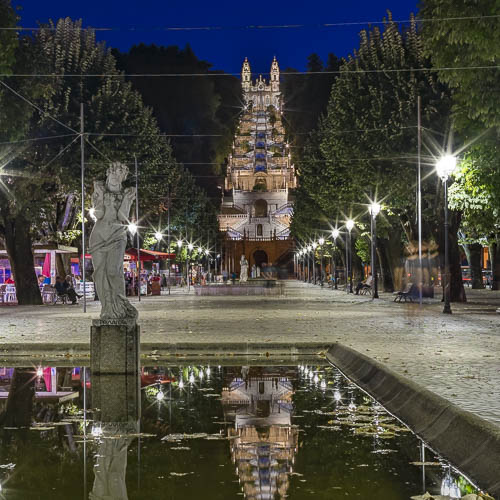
(40,199)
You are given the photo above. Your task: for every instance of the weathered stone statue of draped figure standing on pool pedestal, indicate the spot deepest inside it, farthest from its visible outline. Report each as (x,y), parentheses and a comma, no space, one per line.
(108,241)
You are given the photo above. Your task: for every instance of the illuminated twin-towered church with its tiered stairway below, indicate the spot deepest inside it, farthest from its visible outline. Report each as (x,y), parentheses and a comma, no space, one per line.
(257,203)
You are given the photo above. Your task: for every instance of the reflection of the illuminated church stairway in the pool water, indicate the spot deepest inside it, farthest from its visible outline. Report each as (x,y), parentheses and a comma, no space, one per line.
(263,443)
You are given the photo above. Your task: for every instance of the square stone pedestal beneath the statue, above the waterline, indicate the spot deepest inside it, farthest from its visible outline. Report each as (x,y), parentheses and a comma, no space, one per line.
(114,347)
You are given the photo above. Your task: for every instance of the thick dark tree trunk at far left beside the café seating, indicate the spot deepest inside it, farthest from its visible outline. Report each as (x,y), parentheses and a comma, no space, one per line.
(20,252)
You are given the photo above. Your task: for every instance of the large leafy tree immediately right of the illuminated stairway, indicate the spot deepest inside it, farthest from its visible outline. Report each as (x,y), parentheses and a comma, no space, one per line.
(367,145)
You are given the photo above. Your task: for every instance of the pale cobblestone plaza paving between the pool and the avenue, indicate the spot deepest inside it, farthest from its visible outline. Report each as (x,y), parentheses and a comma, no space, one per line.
(456,356)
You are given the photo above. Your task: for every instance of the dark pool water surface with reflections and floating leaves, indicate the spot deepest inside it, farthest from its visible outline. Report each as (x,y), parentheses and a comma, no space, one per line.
(212,432)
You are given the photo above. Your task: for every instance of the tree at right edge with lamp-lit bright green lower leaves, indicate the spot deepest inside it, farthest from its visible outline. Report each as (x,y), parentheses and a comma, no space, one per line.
(471,44)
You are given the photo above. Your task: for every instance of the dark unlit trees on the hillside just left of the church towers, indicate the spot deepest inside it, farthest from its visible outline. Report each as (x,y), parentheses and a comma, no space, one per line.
(202,108)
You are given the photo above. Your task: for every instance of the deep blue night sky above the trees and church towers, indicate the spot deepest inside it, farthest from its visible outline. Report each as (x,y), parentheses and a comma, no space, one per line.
(226,48)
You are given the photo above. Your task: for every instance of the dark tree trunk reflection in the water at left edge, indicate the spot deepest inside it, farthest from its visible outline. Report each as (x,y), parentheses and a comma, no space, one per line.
(19,408)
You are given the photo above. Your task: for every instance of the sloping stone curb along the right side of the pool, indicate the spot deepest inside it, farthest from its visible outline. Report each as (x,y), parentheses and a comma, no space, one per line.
(467,441)
